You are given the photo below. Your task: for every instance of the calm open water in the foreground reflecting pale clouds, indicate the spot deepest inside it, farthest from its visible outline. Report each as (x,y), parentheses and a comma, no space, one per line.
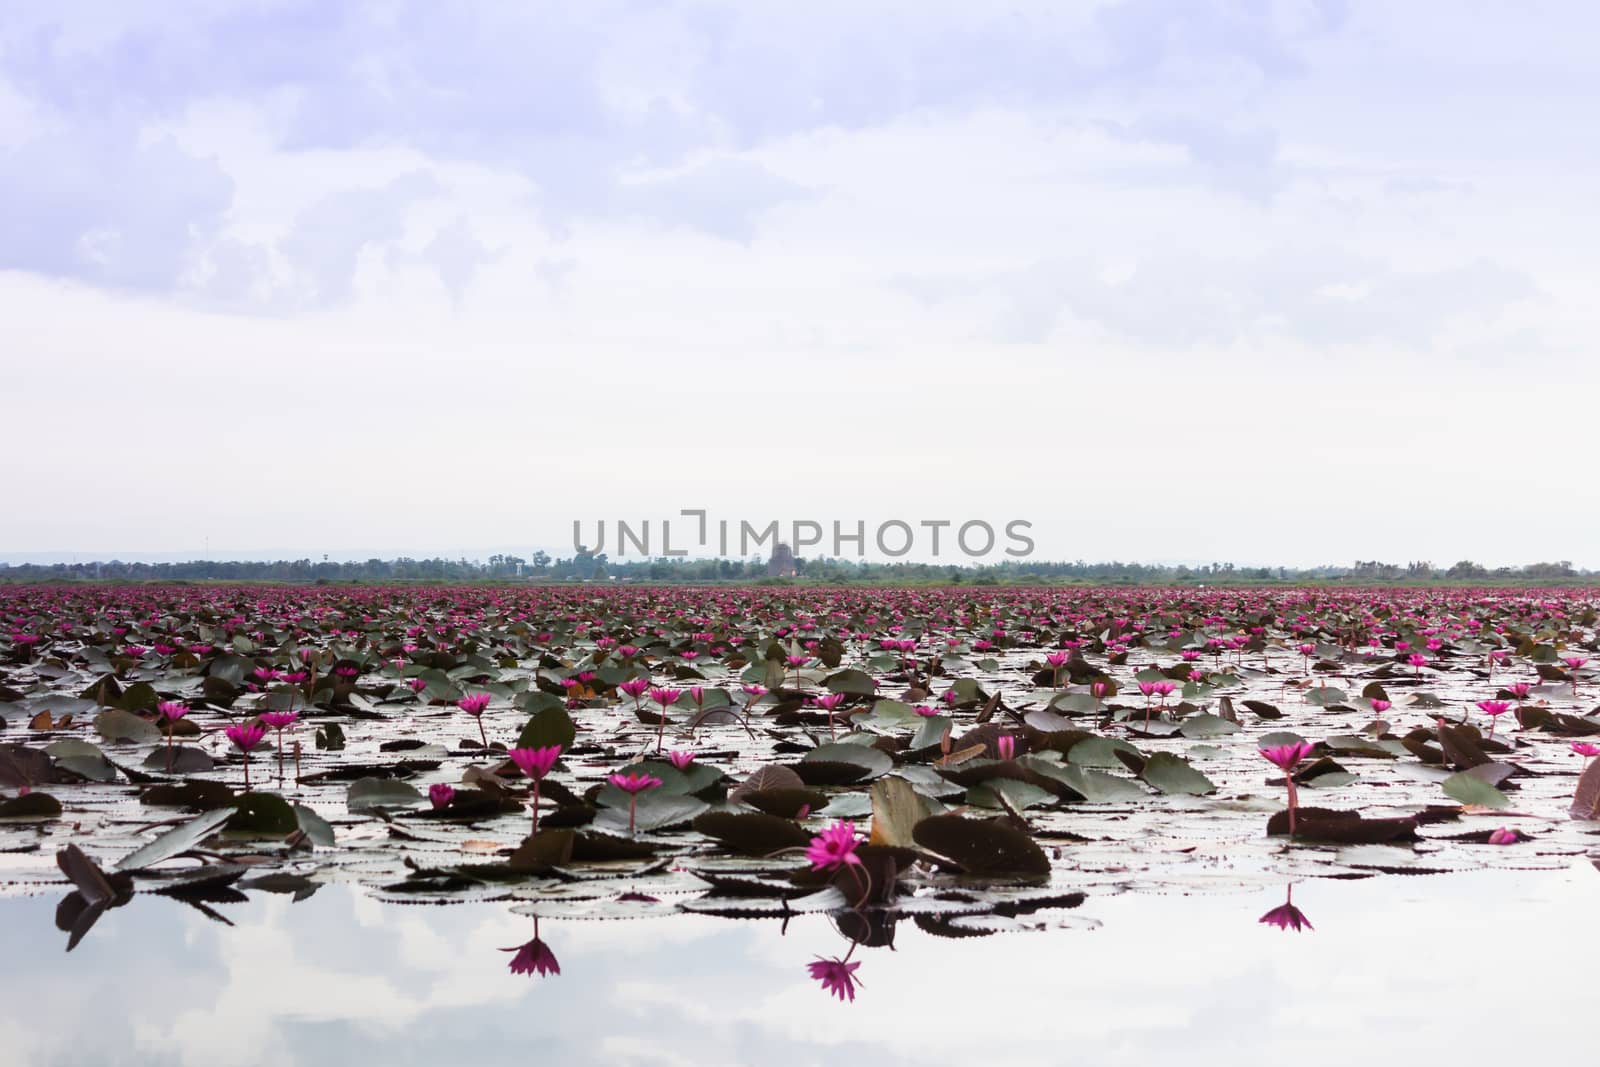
(1399,970)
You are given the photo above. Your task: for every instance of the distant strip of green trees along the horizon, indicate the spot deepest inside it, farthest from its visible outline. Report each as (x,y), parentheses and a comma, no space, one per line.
(593,567)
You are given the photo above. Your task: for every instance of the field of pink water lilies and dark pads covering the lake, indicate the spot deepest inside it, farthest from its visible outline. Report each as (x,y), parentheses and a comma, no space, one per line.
(969,761)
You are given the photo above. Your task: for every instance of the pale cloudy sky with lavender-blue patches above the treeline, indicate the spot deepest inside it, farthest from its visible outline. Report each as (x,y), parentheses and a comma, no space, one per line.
(1271,282)
